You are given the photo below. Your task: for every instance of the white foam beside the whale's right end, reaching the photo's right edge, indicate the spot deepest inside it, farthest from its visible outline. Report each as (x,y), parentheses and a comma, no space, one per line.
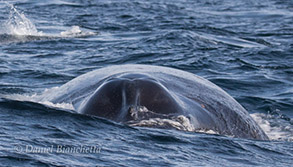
(275,127)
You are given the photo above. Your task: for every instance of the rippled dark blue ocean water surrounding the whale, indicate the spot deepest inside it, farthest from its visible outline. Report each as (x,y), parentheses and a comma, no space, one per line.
(243,46)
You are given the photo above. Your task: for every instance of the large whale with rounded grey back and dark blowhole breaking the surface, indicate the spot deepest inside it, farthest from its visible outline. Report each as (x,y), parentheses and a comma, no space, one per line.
(144,95)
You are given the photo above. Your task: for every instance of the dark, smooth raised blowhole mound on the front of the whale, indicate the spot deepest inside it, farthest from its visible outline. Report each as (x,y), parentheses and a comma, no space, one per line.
(119,95)
